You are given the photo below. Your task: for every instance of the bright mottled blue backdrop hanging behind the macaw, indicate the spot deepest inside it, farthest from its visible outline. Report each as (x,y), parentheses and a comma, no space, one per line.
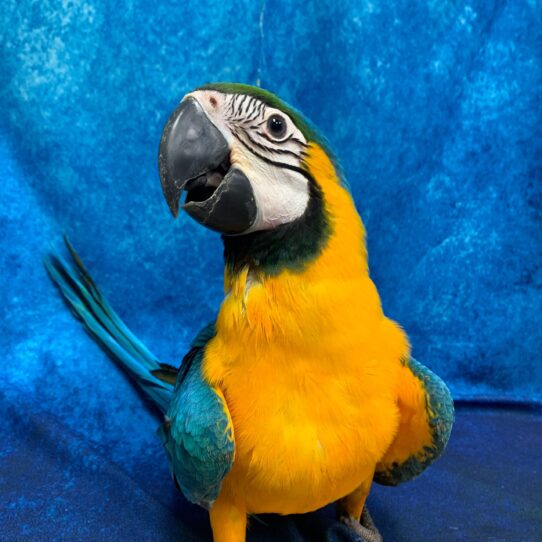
(433,107)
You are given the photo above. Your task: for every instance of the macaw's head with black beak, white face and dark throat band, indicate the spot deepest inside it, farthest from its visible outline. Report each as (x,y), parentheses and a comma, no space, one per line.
(238,160)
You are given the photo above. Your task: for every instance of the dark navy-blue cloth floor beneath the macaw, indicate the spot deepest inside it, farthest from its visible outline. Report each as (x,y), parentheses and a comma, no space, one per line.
(486,487)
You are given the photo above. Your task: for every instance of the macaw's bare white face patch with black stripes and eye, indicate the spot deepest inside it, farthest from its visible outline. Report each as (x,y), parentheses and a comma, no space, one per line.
(268,148)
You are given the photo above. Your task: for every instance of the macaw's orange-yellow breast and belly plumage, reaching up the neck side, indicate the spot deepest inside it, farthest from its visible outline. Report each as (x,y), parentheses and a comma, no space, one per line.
(308,366)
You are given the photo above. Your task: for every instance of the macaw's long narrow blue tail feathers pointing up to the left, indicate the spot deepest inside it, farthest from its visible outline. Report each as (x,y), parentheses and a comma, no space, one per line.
(107,329)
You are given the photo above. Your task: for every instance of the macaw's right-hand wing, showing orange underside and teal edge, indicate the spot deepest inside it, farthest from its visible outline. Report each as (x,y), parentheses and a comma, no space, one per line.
(426,412)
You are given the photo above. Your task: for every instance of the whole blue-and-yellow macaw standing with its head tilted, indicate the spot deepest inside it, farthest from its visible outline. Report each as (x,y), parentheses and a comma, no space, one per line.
(301,392)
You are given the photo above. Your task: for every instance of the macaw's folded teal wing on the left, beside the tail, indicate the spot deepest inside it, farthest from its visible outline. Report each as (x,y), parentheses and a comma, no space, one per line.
(198,434)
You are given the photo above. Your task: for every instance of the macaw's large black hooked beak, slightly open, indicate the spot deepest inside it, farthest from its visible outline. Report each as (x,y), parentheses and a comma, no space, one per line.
(194,157)
